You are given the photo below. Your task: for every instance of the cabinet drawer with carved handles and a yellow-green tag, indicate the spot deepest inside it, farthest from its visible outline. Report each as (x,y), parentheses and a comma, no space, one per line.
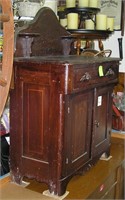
(94,75)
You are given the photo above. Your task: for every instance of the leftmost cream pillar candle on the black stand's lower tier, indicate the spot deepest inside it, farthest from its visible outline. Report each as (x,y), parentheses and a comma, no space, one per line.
(72,21)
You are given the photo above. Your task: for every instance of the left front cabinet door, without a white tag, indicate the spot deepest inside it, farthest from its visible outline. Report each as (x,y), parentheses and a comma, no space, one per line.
(78,130)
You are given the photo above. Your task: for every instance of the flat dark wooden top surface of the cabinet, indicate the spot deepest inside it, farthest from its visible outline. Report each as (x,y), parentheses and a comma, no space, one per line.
(72,60)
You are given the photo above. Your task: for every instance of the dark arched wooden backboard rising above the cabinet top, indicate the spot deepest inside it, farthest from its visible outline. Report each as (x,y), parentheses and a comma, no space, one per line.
(45,25)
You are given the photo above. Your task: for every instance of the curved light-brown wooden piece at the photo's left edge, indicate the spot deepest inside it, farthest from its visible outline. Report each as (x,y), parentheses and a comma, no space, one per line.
(6,17)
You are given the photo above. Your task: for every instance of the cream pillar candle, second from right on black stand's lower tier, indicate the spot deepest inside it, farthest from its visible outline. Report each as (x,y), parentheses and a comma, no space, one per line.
(101,22)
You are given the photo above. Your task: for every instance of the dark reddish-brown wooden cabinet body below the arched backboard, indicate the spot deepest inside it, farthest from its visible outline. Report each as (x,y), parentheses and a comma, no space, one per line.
(60,117)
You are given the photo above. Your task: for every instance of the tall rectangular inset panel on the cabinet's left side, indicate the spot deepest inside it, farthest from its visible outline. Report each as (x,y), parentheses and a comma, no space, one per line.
(35,122)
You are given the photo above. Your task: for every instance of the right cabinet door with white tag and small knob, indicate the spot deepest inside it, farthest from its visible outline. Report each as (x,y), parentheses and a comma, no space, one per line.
(101,120)
